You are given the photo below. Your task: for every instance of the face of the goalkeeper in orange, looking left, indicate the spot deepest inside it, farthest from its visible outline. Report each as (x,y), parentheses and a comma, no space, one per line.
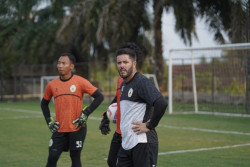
(64,66)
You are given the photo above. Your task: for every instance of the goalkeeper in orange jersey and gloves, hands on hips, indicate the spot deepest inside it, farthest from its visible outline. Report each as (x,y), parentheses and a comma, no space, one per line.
(69,127)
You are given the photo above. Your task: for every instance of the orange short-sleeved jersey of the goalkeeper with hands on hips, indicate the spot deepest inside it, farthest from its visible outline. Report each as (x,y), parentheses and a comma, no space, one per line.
(68,98)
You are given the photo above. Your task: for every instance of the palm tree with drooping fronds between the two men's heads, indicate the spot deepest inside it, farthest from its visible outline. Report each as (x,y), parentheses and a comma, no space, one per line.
(77,32)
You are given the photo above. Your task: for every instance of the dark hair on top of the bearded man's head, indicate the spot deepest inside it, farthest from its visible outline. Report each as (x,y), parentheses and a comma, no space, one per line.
(131,49)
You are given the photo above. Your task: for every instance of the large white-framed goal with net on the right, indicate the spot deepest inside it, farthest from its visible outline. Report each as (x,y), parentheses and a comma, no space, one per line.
(210,80)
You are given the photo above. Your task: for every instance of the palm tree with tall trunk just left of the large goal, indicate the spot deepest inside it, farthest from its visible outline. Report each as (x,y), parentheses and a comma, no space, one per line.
(124,14)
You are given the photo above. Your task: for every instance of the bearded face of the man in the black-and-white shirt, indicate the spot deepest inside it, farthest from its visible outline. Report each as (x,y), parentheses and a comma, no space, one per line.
(125,66)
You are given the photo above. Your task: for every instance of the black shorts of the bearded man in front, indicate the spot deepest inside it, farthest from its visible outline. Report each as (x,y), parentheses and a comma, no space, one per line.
(142,155)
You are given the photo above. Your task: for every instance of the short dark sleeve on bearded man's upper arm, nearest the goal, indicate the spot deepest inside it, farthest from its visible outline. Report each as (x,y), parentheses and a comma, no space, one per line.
(147,91)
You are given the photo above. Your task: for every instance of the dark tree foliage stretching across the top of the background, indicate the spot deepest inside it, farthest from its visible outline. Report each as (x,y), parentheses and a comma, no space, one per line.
(37,31)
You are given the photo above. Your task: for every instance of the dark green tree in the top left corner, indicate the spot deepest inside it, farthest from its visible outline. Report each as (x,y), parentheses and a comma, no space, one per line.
(27,30)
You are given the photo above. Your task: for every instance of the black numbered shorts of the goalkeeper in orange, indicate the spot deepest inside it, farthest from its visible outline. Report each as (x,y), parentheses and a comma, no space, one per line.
(64,141)
